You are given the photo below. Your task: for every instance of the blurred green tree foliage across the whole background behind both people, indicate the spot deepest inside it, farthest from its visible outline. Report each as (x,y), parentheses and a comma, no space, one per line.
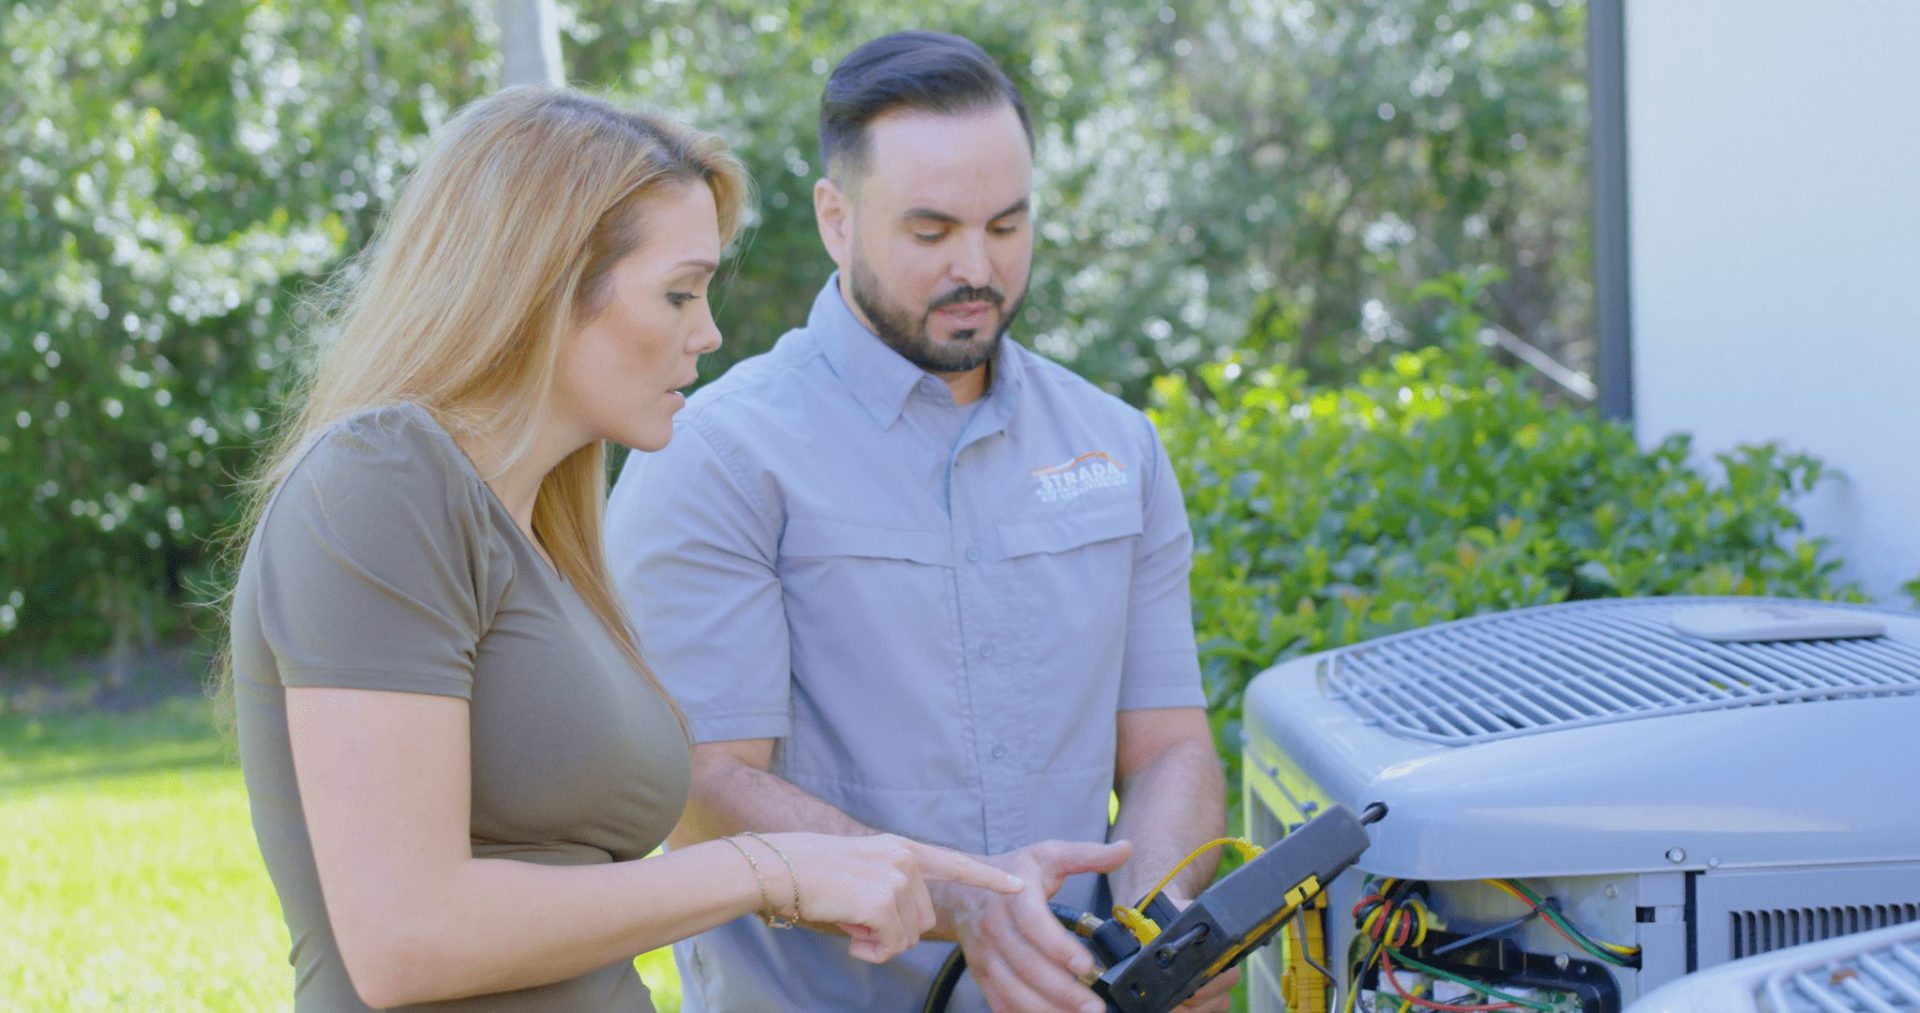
(1264,181)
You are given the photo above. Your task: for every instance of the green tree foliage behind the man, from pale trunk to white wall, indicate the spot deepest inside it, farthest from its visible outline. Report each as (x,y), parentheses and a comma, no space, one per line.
(1220,177)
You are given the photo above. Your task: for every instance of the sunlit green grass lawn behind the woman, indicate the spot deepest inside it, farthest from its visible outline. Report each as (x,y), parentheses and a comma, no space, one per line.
(130,878)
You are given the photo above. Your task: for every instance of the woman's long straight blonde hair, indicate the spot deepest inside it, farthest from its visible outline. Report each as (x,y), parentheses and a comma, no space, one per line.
(498,247)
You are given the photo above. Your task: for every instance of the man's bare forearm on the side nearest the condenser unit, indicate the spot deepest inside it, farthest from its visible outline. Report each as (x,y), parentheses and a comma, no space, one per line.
(1168,809)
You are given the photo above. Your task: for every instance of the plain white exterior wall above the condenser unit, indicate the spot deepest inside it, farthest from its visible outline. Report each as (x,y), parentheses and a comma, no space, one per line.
(1775,241)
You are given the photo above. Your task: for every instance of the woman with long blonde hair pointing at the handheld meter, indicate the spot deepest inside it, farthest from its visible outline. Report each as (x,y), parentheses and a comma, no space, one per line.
(454,751)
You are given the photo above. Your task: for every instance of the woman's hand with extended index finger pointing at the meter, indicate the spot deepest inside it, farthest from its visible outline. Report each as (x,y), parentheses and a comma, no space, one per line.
(873,887)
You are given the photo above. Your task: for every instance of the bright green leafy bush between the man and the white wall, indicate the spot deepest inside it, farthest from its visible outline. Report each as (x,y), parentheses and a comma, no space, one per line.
(1443,486)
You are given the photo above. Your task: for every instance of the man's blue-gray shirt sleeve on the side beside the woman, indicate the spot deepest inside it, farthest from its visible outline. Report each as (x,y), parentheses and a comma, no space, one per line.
(696,559)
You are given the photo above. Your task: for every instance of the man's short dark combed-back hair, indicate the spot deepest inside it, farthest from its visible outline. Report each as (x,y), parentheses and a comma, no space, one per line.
(913,70)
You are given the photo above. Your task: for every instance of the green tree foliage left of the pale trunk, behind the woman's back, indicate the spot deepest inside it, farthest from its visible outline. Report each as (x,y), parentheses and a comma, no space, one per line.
(176,174)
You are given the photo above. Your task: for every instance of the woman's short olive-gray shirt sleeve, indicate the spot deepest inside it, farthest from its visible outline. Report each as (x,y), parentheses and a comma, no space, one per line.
(372,565)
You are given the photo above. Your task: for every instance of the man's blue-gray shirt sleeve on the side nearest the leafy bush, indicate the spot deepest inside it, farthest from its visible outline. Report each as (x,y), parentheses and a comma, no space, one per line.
(1161,667)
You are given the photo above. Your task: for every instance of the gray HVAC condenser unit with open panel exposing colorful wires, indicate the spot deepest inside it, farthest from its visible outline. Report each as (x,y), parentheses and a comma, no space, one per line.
(1589,801)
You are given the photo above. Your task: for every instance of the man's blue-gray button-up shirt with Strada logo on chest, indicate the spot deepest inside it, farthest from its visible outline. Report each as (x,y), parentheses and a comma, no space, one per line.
(934,609)
